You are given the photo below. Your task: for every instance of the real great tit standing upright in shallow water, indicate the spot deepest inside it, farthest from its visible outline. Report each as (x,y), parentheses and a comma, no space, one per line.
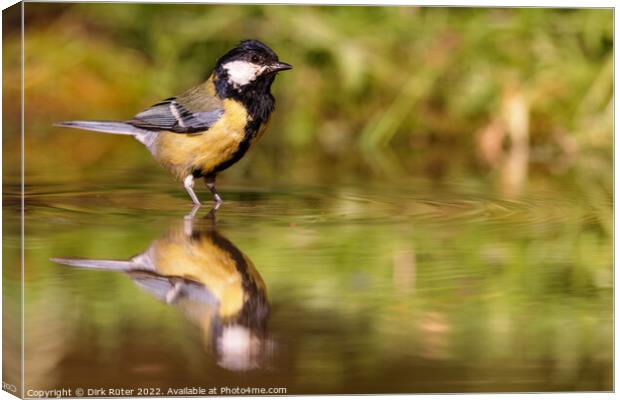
(211,126)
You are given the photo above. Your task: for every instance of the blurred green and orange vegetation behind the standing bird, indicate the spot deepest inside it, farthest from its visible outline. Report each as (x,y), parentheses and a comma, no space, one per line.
(377,92)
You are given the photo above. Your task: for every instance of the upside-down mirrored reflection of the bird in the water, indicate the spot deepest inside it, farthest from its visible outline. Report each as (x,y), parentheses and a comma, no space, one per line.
(196,269)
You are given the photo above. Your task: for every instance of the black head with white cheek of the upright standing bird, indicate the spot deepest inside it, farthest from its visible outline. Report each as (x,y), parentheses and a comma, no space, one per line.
(250,66)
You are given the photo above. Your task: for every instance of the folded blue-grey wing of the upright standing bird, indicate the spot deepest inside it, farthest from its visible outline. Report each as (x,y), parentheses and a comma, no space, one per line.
(170,115)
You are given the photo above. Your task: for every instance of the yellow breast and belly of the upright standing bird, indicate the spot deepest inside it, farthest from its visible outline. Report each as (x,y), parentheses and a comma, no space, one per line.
(184,153)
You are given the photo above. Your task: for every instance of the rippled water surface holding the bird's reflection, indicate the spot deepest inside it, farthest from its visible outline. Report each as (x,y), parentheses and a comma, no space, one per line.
(374,288)
